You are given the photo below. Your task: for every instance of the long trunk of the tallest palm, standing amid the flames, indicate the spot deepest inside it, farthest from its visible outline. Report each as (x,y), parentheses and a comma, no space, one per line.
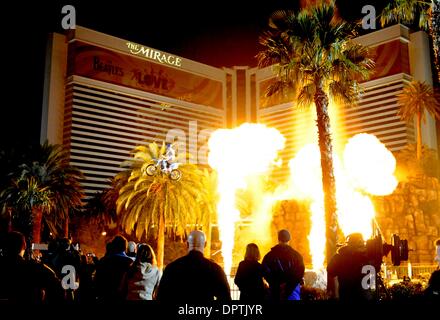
(328,178)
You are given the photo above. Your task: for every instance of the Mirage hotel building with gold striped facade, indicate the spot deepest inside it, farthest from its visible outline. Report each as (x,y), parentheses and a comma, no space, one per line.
(104,95)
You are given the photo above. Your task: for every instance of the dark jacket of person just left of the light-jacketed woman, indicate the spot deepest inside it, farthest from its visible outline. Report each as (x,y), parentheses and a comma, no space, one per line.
(110,273)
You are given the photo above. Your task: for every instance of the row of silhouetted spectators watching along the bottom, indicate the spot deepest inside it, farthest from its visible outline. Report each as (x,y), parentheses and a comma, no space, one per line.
(129,272)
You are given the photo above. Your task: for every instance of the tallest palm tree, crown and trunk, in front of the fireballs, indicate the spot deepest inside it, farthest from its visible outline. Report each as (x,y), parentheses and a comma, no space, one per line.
(314,57)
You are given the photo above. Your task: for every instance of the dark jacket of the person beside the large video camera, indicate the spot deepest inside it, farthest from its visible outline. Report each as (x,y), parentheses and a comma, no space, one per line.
(347,265)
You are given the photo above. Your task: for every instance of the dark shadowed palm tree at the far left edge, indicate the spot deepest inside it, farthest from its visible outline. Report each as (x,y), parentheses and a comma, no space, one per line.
(45,190)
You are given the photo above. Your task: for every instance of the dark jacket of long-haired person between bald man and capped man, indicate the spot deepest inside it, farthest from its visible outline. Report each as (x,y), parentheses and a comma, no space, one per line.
(249,279)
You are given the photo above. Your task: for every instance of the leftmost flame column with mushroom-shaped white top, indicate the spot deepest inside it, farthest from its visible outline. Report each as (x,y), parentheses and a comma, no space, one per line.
(238,154)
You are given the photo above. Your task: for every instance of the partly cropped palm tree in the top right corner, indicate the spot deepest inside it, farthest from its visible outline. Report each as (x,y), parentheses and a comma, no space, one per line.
(424,12)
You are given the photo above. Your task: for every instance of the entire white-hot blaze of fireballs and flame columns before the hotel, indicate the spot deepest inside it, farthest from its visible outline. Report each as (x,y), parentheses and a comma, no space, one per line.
(245,155)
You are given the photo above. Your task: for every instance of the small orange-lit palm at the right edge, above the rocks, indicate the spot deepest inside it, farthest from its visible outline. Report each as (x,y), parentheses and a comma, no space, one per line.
(416,99)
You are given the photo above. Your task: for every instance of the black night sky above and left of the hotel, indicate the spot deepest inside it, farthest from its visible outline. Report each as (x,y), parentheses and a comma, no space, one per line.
(218,33)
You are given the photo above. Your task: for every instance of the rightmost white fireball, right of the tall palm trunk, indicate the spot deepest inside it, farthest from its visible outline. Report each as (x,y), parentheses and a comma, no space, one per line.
(368,170)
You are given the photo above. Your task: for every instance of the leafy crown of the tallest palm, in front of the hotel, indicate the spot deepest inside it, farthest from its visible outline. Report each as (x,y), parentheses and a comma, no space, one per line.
(313,47)
